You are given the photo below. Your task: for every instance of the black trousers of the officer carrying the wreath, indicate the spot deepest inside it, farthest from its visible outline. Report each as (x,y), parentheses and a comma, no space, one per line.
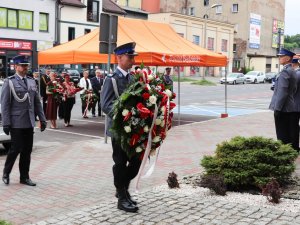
(125,169)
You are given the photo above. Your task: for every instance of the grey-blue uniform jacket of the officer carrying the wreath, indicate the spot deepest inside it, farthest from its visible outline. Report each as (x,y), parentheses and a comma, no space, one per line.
(108,95)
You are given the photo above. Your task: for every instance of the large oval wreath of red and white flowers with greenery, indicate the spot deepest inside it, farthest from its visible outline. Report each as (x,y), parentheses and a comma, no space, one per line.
(142,114)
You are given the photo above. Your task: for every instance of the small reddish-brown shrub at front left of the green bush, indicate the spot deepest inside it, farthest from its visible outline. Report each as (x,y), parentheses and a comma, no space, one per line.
(214,182)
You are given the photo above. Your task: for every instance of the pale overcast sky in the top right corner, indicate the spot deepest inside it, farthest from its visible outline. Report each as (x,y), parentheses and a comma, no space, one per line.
(292,17)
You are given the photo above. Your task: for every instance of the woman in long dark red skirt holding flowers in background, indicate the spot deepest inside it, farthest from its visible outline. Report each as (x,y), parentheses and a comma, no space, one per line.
(52,99)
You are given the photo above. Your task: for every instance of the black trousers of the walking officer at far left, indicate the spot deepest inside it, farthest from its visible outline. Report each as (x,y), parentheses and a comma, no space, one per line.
(22,140)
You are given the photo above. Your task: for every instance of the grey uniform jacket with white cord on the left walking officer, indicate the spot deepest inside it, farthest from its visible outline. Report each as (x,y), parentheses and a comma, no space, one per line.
(20,114)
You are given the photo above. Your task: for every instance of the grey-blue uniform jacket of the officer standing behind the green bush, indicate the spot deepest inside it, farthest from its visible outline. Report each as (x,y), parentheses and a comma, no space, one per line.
(284,90)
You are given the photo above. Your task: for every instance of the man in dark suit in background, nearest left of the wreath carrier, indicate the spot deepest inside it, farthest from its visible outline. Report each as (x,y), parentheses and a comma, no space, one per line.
(97,83)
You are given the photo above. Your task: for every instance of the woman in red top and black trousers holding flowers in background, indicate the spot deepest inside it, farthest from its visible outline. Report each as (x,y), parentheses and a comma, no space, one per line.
(69,99)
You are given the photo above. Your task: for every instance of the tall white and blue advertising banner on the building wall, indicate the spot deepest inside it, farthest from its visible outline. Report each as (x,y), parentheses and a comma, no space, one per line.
(254,34)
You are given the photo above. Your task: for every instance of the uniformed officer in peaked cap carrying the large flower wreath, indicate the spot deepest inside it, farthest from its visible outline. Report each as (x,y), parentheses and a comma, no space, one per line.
(124,169)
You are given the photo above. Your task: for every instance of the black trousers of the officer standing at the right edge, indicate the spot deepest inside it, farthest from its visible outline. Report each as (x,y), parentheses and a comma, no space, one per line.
(287,128)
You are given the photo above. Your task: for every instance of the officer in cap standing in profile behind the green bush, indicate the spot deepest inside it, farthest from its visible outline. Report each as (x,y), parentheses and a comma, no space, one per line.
(283,104)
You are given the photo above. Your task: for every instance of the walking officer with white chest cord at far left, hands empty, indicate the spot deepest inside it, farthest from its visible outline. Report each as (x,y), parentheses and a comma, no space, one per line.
(19,102)
